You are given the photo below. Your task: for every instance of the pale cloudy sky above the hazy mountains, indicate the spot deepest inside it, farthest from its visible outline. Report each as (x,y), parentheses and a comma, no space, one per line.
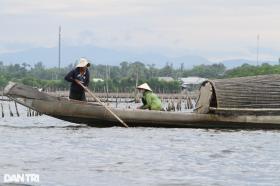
(214,29)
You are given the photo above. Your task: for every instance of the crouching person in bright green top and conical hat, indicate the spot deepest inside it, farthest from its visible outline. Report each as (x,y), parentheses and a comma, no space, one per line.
(150,100)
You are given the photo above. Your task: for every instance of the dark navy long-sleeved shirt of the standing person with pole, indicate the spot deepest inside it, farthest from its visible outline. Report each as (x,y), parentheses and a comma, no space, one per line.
(75,74)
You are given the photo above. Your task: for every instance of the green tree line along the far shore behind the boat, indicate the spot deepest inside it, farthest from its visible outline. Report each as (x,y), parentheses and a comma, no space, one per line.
(124,77)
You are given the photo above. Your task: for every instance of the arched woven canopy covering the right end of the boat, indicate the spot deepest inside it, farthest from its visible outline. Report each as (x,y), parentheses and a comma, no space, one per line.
(245,92)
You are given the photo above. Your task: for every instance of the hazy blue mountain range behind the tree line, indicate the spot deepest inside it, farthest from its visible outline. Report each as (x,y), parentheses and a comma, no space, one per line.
(49,57)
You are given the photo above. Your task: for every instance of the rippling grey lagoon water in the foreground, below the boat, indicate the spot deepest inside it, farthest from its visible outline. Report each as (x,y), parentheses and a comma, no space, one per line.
(64,153)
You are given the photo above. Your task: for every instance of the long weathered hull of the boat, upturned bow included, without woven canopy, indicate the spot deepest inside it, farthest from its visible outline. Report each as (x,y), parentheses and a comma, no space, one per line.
(96,115)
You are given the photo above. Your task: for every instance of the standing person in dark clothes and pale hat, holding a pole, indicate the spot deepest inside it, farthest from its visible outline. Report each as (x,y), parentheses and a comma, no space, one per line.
(81,74)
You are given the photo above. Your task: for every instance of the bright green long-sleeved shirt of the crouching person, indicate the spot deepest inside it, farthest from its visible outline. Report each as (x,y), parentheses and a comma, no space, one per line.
(151,101)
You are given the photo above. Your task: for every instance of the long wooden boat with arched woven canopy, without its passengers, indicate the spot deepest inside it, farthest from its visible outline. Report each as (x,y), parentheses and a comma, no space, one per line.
(221,104)
